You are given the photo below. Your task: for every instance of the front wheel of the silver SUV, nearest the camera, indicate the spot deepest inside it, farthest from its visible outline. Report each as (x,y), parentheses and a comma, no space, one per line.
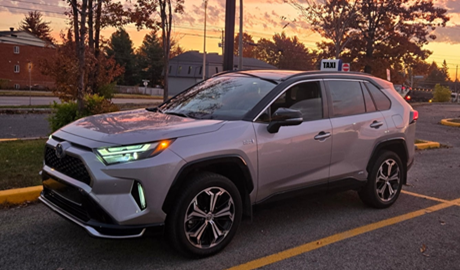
(206,215)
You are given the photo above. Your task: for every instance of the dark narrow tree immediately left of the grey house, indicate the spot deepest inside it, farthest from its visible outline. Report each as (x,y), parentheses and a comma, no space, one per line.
(150,56)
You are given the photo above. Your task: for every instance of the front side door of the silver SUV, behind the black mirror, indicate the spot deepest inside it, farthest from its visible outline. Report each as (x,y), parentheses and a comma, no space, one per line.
(295,157)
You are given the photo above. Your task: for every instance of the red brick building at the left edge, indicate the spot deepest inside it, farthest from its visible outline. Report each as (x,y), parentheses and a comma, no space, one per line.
(18,51)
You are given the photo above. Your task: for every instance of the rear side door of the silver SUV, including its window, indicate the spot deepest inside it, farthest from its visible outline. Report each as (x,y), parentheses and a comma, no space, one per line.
(356,124)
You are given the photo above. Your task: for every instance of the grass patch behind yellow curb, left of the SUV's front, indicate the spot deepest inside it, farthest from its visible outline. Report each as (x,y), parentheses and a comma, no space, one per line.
(20,163)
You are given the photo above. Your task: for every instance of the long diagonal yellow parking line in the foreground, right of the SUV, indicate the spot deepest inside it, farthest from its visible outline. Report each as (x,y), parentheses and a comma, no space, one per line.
(289,253)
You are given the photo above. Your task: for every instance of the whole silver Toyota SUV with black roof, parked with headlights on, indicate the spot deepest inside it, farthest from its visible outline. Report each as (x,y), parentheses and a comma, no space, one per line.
(198,163)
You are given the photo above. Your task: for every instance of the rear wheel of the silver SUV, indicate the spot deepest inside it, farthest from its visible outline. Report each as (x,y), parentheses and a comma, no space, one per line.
(384,181)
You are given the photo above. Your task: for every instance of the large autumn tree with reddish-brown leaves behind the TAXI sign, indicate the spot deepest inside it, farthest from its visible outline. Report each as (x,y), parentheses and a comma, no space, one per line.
(385,34)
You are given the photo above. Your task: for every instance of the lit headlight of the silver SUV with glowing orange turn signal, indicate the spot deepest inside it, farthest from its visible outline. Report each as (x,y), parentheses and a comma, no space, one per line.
(118,154)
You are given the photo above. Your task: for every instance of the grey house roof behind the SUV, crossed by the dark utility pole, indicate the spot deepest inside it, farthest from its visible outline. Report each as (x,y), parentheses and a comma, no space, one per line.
(214,58)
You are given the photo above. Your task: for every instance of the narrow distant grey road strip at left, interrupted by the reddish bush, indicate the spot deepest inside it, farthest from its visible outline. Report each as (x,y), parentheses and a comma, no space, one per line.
(18,101)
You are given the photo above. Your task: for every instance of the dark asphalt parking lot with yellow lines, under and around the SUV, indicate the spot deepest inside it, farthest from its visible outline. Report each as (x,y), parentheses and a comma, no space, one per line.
(336,231)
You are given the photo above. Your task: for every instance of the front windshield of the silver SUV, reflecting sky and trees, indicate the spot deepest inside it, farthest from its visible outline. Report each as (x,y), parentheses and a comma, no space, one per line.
(227,97)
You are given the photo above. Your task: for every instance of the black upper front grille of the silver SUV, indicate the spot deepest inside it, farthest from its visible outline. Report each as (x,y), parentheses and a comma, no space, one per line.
(68,165)
